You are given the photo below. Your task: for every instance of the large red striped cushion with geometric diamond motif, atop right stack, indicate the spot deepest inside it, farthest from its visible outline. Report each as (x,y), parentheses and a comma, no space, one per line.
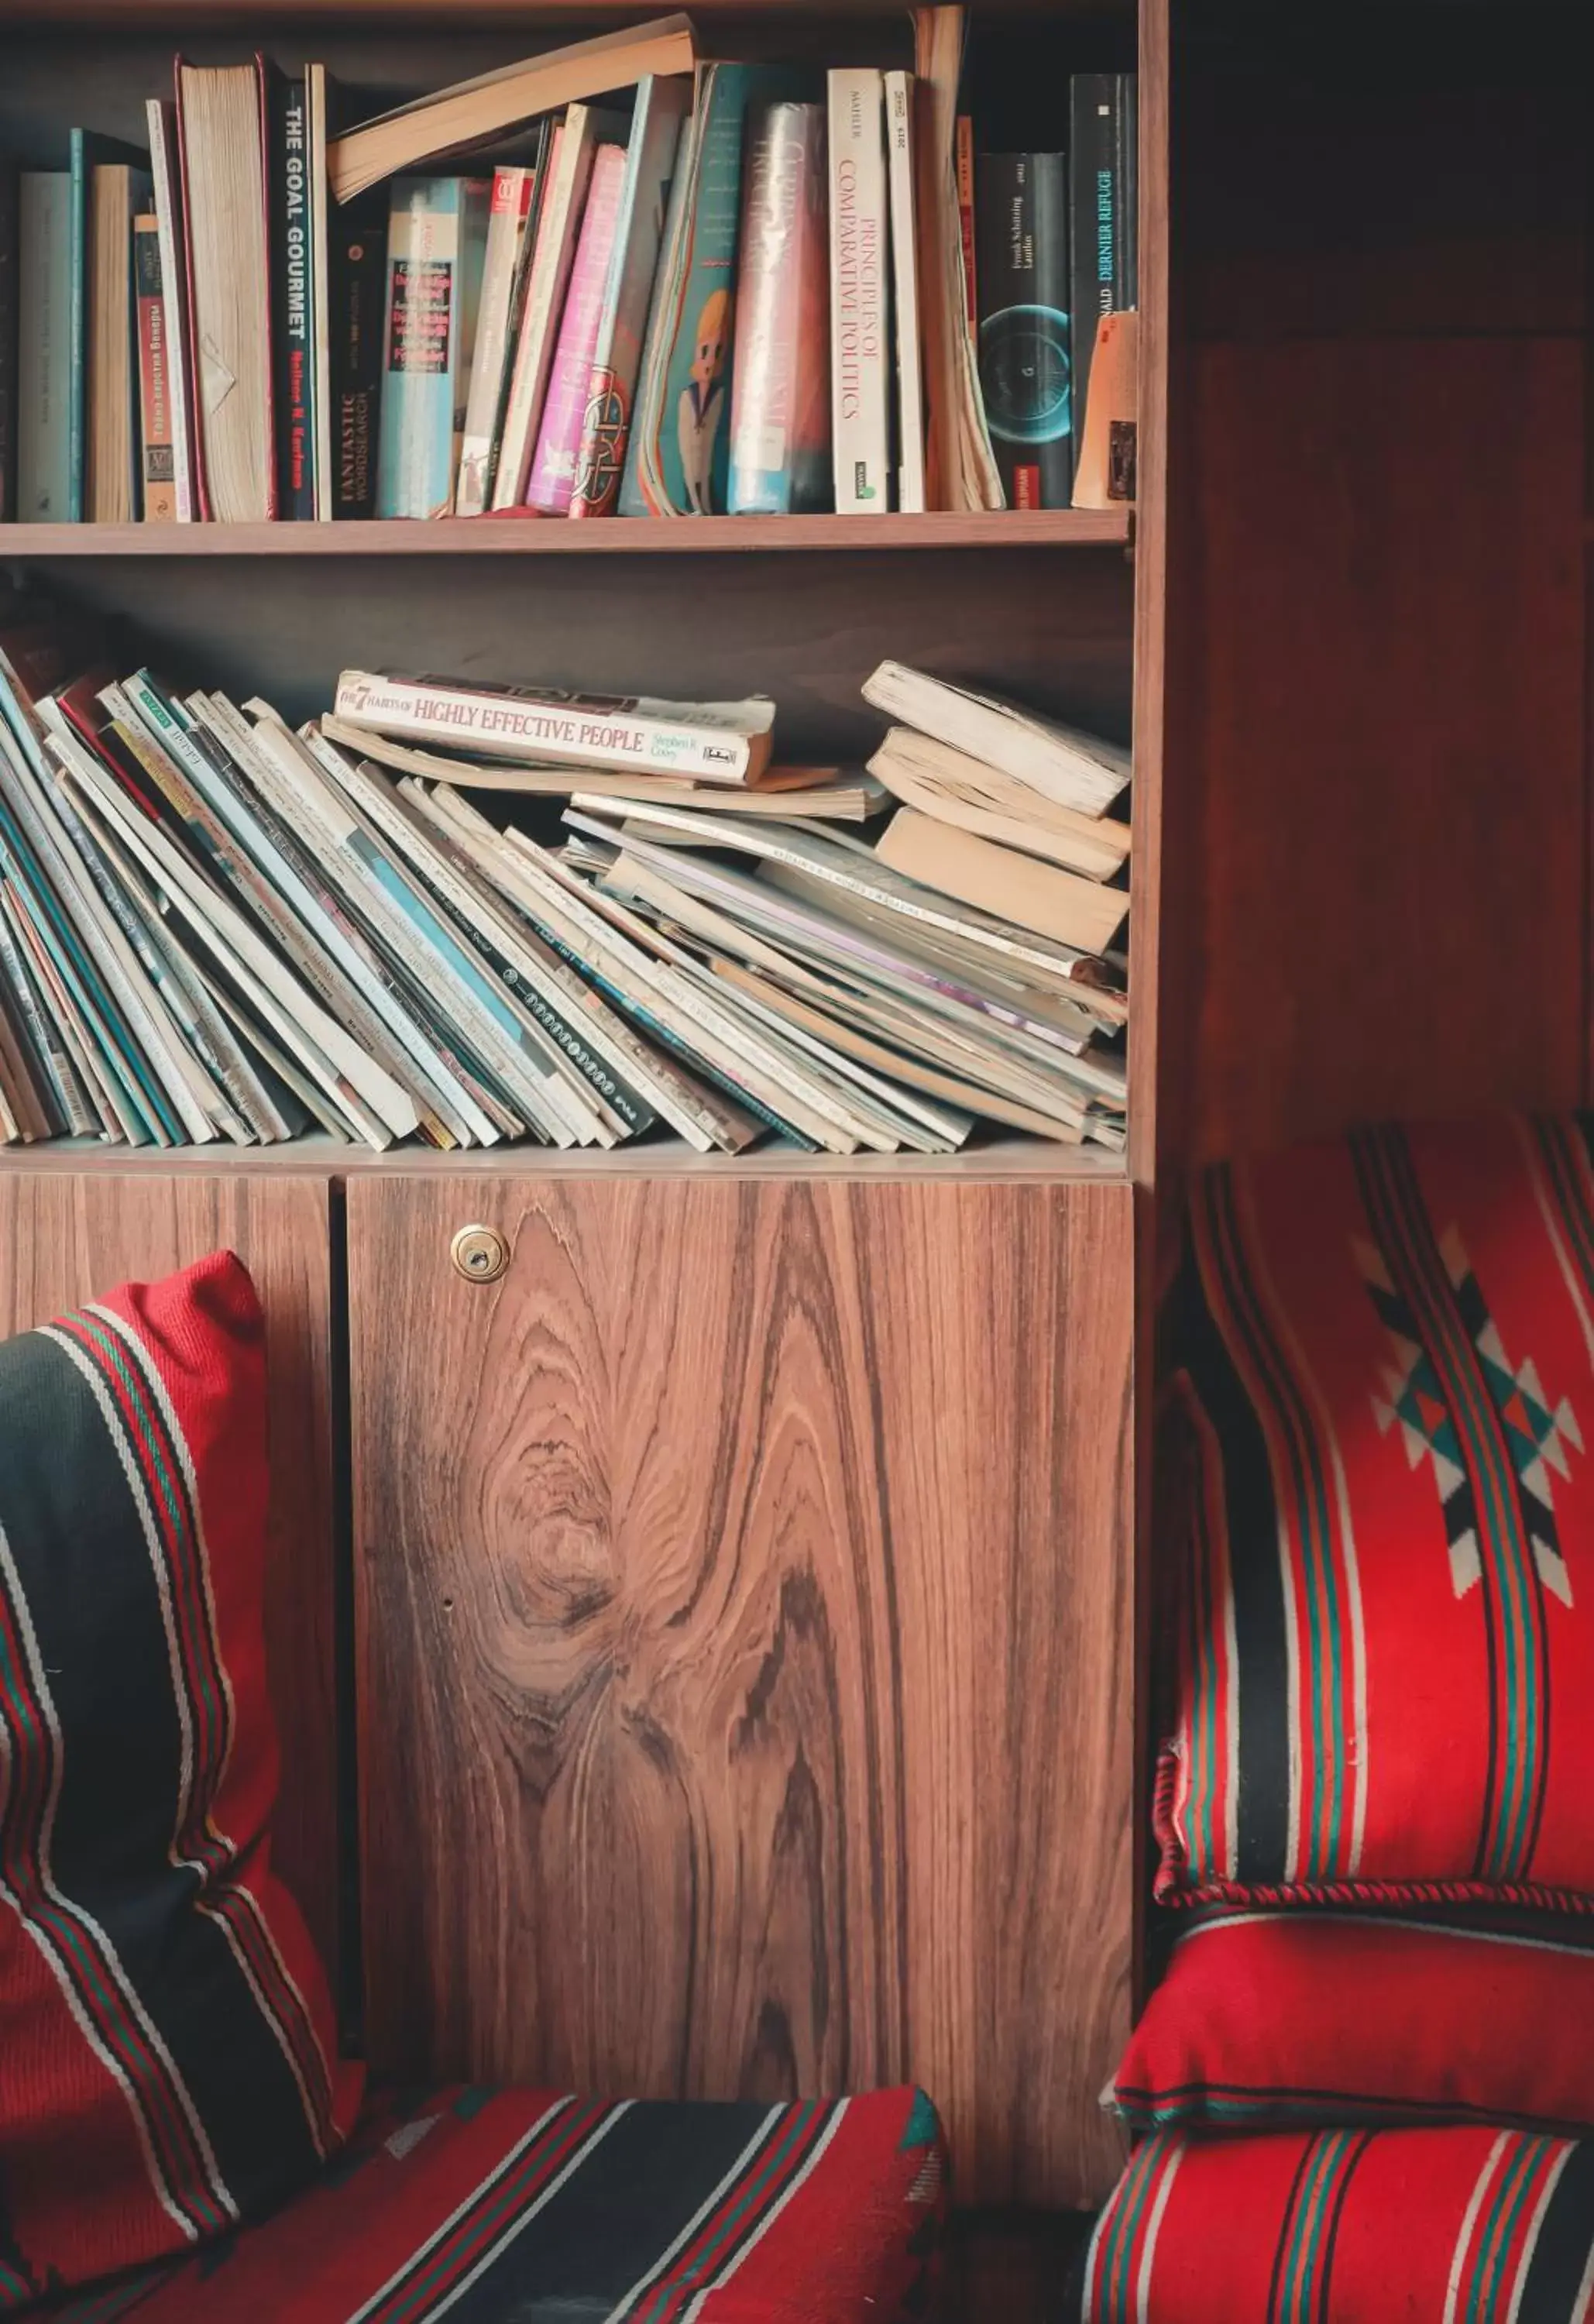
(1384,1461)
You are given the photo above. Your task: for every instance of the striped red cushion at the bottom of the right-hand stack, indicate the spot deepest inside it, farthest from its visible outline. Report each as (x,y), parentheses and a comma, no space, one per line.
(1347,2228)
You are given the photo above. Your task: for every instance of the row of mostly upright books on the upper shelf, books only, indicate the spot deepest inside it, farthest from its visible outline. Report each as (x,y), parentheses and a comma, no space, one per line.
(682,289)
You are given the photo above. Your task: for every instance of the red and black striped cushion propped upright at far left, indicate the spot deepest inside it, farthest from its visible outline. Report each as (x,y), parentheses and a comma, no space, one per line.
(168,2060)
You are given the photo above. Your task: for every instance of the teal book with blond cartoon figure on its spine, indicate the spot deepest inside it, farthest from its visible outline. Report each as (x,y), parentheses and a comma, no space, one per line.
(680,450)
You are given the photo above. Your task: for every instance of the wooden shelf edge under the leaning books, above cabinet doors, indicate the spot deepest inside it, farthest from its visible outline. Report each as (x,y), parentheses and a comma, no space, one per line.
(324,1159)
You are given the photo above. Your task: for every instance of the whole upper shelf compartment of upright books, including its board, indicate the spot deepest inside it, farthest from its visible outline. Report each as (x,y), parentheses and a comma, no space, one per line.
(856,280)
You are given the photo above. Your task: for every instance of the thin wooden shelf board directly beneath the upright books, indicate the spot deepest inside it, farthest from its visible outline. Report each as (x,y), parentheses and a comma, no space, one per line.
(612,536)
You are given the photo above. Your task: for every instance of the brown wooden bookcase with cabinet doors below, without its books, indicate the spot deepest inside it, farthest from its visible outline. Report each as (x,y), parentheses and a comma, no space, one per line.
(819,1475)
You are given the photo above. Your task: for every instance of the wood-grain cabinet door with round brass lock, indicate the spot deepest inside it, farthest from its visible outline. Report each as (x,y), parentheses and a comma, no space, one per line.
(745,1644)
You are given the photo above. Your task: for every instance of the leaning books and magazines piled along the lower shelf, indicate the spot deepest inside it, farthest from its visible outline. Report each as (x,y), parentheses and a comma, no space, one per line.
(478,914)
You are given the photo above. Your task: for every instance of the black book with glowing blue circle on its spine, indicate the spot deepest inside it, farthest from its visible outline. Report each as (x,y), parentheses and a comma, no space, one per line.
(1024,273)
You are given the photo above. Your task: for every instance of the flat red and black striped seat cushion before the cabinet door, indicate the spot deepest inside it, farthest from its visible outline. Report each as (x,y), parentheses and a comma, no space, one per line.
(515,2207)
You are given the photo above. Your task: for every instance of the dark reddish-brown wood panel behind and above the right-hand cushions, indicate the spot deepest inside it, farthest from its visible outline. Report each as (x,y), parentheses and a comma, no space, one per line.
(1379,738)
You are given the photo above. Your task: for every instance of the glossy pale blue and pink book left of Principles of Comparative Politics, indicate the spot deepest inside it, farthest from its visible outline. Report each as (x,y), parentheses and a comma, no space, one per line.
(780,431)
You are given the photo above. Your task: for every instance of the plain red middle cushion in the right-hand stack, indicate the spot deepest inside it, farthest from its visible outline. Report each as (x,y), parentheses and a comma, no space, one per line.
(1275,2021)
